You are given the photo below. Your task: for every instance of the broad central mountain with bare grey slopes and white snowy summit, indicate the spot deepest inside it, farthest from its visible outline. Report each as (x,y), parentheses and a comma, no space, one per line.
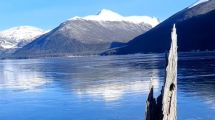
(88,35)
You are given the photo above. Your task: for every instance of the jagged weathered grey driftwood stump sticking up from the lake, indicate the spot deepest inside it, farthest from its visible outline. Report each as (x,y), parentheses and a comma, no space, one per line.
(164,108)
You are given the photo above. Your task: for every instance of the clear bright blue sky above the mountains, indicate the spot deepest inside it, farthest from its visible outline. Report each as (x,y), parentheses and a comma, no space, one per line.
(47,14)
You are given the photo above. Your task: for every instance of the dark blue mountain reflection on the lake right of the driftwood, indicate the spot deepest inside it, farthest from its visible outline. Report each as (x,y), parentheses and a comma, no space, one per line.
(196,79)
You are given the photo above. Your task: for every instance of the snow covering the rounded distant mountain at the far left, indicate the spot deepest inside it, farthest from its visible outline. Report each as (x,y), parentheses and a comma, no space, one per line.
(18,36)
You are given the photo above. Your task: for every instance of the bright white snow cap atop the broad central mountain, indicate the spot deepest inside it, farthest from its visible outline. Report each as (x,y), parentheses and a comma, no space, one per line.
(108,15)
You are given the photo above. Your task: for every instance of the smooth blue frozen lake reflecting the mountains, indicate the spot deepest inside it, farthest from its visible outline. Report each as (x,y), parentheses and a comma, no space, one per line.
(102,87)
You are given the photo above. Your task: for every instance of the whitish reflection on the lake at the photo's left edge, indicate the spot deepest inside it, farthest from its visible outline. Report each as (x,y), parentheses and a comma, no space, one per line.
(15,77)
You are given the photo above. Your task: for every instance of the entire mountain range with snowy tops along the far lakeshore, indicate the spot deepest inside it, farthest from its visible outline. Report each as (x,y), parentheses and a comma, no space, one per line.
(108,33)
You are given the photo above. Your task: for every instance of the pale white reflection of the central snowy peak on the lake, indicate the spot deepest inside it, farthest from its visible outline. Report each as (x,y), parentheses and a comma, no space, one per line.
(114,91)
